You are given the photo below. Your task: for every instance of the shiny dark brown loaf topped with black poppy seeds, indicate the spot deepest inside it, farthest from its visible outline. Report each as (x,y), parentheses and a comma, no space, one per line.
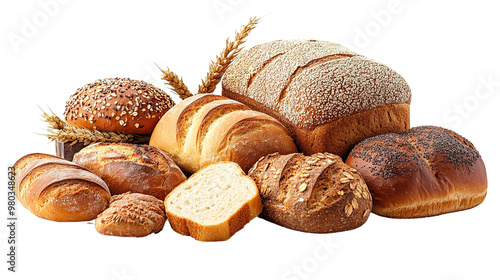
(422,172)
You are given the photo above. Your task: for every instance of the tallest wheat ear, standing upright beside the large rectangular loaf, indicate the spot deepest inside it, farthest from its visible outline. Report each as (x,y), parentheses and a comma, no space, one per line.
(216,69)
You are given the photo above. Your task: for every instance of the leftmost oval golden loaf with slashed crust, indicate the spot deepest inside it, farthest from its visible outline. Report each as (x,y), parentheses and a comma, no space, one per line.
(59,190)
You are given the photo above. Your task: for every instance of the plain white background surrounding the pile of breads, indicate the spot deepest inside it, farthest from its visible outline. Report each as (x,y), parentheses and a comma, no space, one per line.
(447,52)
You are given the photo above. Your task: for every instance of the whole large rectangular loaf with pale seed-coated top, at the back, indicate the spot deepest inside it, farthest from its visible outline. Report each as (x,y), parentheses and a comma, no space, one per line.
(327,96)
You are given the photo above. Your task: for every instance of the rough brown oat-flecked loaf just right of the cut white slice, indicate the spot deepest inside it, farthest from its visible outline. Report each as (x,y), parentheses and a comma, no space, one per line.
(317,193)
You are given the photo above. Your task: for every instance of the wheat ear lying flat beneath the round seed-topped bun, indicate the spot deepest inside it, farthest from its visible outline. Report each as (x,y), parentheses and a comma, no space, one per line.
(60,131)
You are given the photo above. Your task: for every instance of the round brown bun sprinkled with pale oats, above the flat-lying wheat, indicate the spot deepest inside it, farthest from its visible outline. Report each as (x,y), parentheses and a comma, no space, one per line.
(119,105)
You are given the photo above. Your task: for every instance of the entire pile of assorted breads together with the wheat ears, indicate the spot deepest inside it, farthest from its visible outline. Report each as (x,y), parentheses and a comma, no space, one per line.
(289,113)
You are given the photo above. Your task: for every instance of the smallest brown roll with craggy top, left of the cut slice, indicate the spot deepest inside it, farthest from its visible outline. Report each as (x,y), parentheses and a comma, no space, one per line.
(132,214)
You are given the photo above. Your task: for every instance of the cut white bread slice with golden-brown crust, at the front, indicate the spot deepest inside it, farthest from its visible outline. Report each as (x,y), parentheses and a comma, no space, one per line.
(214,203)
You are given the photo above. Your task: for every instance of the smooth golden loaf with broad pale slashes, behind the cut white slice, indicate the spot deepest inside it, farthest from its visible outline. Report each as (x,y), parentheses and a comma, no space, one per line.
(207,128)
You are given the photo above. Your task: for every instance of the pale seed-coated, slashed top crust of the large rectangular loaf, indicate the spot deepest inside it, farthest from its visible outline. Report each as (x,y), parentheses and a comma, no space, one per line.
(313,82)
